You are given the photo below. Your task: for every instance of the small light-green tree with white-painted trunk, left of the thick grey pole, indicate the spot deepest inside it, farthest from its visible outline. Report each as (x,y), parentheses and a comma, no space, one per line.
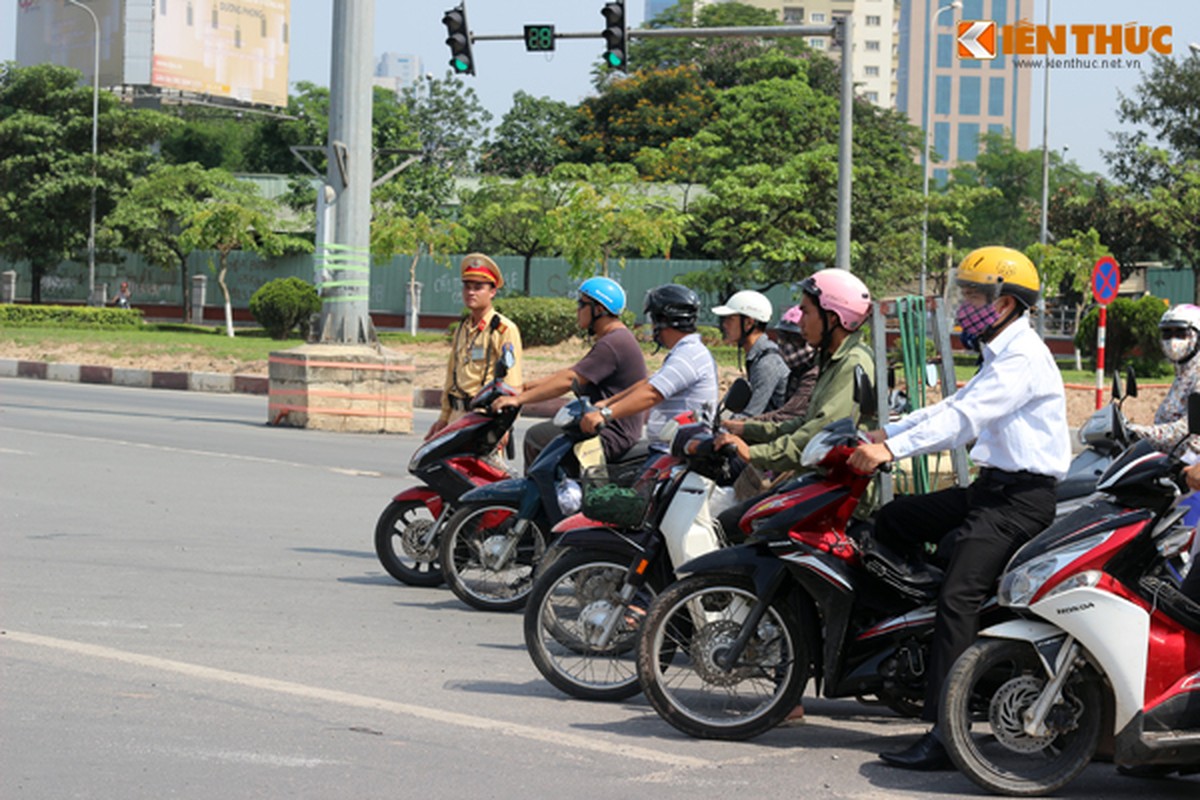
(235,221)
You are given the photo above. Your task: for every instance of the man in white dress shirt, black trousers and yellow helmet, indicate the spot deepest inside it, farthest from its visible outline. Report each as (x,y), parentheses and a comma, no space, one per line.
(1016,412)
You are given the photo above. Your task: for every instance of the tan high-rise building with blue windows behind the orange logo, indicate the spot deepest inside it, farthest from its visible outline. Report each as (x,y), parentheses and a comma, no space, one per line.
(970,97)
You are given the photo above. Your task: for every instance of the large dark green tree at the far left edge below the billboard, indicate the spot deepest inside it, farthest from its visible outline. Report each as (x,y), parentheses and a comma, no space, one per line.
(47,173)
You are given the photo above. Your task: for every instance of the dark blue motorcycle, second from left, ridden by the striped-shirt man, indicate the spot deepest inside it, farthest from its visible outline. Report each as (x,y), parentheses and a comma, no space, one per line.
(499,533)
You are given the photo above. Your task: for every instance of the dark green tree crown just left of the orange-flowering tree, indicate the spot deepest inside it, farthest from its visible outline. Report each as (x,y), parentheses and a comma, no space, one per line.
(531,139)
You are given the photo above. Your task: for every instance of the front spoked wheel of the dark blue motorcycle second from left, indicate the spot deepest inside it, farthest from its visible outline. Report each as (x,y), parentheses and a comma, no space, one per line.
(485,562)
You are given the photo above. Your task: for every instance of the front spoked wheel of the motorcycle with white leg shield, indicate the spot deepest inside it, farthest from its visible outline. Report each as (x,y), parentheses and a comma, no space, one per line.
(579,633)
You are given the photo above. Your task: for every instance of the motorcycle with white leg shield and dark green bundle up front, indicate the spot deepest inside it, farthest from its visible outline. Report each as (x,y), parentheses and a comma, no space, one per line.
(587,603)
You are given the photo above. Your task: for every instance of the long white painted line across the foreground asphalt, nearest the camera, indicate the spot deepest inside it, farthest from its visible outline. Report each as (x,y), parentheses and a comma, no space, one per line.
(555,738)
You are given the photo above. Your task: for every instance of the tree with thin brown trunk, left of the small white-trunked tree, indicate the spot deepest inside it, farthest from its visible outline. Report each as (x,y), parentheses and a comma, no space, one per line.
(149,220)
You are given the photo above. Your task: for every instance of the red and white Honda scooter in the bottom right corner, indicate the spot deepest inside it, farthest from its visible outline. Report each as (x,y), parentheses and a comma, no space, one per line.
(1103,634)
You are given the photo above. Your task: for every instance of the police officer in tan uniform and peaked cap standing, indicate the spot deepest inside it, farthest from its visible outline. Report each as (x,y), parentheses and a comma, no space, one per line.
(481,339)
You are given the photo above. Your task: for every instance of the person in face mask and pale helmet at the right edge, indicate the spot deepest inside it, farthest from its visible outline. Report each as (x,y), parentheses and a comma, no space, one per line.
(1180,332)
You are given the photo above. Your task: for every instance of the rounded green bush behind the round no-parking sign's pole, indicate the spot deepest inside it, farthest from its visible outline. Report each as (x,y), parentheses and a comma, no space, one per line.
(1131,335)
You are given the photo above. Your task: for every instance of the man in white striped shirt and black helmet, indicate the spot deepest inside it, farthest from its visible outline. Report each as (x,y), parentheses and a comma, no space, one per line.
(687,381)
